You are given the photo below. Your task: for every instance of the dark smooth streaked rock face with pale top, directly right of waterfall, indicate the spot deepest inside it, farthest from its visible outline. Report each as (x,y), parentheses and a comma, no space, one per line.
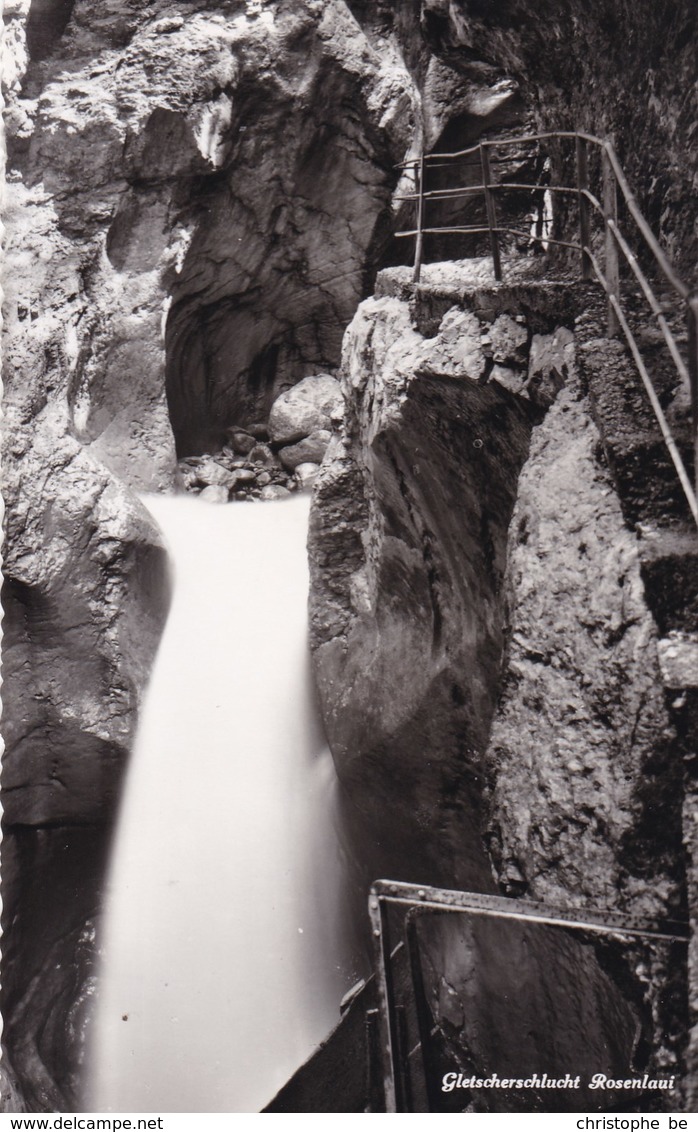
(408,551)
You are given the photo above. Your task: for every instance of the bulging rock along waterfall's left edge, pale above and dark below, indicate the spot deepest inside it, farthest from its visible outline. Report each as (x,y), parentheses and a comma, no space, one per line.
(85,598)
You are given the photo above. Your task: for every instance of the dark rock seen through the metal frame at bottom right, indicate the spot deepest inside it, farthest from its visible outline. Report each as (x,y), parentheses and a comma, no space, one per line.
(514,999)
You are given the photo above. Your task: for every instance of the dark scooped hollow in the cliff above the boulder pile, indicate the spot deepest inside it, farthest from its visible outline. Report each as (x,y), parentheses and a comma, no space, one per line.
(272,279)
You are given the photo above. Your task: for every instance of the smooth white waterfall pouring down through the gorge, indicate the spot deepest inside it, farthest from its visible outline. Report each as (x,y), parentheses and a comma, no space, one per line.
(225,957)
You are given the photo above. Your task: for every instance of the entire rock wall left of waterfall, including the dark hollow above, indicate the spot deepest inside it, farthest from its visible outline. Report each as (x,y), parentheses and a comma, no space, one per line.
(199,195)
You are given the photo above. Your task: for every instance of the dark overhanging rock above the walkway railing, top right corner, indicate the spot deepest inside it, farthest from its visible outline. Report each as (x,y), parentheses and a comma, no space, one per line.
(623,72)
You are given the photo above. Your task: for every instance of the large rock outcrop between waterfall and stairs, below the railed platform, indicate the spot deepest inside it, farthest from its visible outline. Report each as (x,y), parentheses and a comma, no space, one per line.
(488,666)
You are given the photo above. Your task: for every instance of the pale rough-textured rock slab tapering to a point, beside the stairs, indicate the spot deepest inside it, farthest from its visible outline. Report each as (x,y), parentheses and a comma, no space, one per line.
(582,730)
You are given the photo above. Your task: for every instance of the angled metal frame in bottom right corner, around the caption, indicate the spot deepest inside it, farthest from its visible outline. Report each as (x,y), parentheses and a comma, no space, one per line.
(399,1064)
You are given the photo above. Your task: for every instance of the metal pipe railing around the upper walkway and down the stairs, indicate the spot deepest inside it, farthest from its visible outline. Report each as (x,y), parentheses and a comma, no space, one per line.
(616,245)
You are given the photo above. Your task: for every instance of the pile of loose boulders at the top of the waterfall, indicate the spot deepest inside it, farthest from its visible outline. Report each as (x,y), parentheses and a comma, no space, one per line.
(271,461)
